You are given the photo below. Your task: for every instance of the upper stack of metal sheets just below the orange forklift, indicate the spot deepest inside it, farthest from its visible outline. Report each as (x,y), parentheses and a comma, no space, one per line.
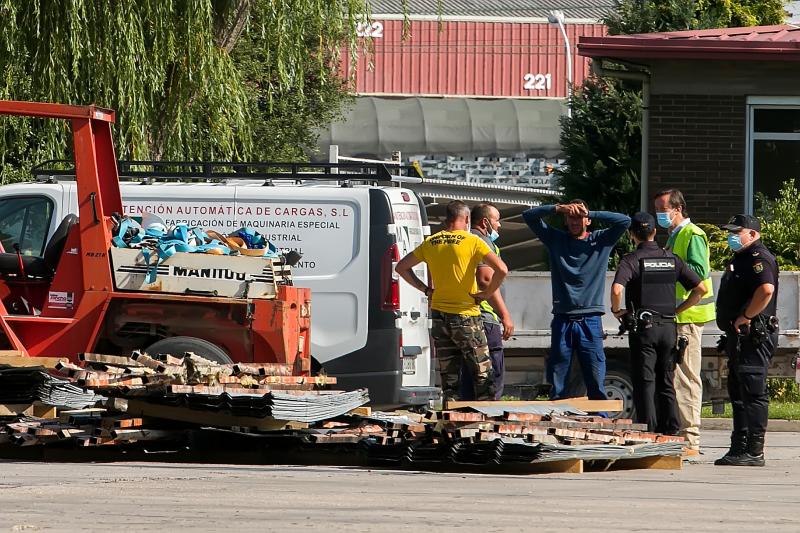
(193,382)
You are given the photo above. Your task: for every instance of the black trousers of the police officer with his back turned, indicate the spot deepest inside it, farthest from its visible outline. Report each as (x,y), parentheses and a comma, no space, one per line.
(652,368)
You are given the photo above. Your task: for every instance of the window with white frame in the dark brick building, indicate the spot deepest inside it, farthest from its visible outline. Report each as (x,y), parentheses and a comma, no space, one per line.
(773,147)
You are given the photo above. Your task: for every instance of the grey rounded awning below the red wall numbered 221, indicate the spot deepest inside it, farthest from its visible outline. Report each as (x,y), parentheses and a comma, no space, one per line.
(378,126)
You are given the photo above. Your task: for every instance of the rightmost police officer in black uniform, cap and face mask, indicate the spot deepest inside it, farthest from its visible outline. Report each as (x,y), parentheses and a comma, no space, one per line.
(746,304)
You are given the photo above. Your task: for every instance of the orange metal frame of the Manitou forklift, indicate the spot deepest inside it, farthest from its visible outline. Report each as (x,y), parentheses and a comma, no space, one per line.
(277,330)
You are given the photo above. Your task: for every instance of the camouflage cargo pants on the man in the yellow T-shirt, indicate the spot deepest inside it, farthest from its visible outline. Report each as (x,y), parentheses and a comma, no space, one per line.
(461,340)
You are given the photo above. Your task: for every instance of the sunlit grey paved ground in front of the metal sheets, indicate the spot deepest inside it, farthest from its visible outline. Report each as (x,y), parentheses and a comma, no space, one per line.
(159,497)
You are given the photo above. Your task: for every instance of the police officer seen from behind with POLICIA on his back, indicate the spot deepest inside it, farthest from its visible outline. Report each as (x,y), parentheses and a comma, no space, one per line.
(648,276)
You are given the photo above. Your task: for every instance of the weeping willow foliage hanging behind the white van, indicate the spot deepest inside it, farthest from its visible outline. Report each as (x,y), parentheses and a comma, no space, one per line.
(190,79)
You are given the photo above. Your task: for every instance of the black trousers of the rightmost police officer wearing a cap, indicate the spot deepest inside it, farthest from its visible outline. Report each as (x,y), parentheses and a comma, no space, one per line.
(747,382)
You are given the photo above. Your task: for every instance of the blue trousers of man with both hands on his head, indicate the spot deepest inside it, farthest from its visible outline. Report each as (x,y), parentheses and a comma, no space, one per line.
(582,334)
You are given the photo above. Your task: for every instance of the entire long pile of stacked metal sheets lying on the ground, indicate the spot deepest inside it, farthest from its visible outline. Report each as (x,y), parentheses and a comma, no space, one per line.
(190,403)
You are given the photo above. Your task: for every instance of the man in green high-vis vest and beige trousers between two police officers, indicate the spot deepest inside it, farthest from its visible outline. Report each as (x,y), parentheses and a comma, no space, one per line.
(690,243)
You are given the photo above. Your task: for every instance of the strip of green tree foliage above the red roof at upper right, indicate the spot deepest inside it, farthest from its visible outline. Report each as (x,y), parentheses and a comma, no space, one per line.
(645,16)
